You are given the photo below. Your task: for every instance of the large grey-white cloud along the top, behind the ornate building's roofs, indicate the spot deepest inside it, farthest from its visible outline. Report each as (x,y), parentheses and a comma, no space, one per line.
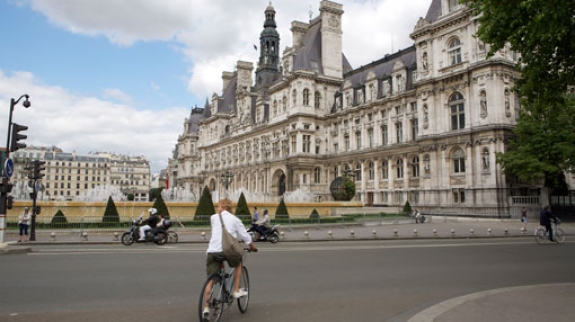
(214,34)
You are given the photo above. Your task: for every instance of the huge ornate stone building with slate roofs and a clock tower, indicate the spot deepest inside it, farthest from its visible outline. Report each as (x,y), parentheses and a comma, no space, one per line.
(419,125)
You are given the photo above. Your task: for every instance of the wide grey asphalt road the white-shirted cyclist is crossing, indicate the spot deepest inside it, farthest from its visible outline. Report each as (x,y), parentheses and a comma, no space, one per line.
(320,281)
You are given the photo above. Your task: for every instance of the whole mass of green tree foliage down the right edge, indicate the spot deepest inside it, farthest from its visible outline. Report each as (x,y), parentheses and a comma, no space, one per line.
(542,32)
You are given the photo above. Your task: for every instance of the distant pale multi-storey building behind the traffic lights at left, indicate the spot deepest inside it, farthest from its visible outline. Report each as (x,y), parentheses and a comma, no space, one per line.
(69,176)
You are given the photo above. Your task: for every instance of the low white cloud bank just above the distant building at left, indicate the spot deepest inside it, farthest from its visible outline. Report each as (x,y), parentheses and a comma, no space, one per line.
(83,124)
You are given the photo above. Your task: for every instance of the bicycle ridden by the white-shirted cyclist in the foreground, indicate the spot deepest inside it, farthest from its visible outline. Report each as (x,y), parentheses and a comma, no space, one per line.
(221,294)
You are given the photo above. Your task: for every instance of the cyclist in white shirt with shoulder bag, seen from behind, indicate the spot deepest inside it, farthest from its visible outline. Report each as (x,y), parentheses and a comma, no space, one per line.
(214,253)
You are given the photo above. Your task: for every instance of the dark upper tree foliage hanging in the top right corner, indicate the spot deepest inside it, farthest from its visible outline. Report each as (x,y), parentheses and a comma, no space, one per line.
(542,32)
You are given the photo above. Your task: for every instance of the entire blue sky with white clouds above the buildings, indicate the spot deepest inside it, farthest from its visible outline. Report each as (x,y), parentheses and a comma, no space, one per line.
(121,76)
